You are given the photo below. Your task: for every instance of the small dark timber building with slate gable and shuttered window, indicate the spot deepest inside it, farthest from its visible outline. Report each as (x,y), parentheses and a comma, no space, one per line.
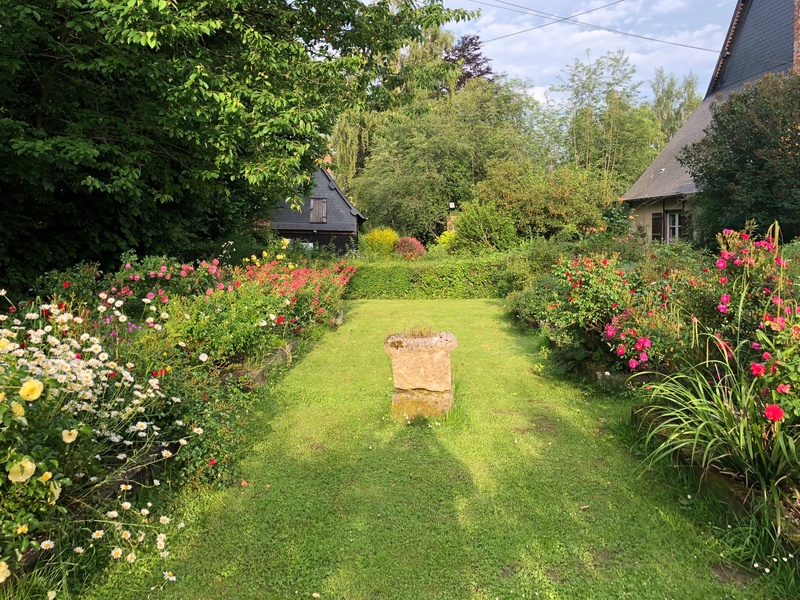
(327,218)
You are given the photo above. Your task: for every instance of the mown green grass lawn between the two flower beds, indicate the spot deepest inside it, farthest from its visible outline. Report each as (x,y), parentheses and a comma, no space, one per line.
(522,492)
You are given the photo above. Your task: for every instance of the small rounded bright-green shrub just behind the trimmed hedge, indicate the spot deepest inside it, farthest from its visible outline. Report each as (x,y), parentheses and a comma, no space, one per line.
(482,227)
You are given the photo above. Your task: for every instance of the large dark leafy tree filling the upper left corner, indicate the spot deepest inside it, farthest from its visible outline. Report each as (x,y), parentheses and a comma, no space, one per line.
(156,124)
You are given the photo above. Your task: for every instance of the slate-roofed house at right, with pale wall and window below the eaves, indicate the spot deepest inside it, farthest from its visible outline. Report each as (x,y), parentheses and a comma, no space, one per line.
(764,37)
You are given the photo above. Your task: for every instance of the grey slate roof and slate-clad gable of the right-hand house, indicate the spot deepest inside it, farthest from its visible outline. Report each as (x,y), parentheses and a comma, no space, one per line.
(760,40)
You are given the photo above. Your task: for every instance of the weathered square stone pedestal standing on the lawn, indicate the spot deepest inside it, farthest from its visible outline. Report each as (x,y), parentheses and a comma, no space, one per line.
(422,374)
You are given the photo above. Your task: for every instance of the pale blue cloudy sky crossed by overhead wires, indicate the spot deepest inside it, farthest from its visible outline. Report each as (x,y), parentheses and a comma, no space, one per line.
(540,55)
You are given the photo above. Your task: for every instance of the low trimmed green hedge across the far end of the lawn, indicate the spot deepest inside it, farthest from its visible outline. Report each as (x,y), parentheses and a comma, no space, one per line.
(492,276)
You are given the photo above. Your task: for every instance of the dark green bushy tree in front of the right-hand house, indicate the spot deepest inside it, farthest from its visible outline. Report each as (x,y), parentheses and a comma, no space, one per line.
(747,164)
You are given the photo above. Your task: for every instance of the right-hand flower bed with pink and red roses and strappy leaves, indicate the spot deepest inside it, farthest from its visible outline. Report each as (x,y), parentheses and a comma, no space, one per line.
(721,335)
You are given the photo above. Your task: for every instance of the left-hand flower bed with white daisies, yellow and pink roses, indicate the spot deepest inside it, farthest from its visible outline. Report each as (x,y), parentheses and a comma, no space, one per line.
(91,392)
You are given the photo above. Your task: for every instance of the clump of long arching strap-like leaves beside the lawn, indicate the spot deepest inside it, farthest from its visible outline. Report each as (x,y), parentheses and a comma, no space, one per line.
(716,413)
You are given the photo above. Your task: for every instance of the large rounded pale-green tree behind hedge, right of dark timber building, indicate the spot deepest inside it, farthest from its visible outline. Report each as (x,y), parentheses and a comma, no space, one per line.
(426,157)
